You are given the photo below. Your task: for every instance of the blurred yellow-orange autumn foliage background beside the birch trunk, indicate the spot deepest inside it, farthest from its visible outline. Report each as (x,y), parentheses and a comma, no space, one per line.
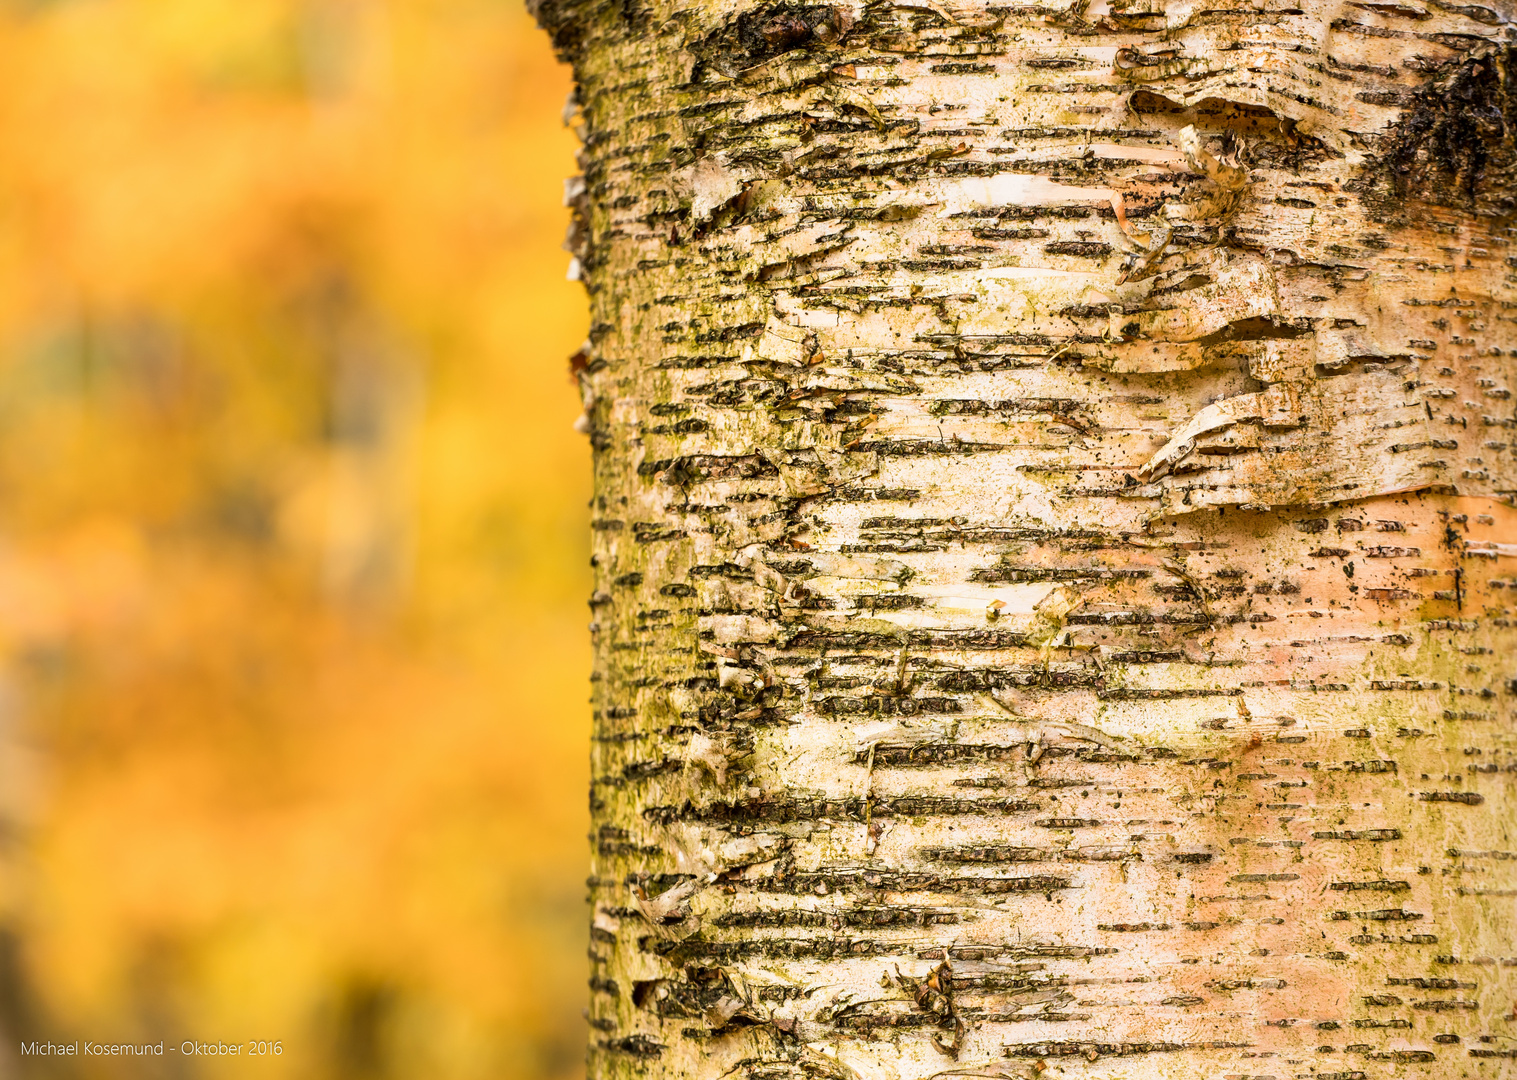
(292,539)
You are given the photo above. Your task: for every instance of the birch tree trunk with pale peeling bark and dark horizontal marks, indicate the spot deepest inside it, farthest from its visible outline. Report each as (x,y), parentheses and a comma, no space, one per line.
(1055,538)
